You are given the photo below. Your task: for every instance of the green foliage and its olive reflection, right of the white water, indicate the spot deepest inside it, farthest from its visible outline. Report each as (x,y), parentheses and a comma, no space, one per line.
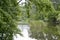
(43,18)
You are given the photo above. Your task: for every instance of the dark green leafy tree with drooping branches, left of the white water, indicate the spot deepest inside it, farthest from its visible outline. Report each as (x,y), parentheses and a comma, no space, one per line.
(9,15)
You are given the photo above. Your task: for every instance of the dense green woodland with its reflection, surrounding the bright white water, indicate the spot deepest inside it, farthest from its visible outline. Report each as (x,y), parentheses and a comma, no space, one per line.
(43,16)
